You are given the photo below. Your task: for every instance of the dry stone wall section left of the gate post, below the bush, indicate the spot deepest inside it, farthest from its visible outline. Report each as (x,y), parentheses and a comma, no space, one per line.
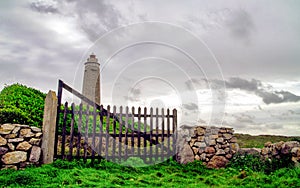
(19,146)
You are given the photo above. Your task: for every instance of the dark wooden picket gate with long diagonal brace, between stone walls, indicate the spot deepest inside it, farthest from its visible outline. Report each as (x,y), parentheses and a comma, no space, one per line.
(89,131)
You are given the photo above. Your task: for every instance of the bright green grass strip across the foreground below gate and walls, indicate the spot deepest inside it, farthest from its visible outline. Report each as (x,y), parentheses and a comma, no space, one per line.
(167,174)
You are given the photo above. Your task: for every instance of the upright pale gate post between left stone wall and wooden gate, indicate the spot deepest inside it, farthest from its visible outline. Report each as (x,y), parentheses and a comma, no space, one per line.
(49,127)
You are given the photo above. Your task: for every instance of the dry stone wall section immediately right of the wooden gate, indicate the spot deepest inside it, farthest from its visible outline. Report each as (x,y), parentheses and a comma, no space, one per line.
(215,146)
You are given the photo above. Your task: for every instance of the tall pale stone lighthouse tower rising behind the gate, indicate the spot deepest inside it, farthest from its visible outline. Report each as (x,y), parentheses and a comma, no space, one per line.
(91,79)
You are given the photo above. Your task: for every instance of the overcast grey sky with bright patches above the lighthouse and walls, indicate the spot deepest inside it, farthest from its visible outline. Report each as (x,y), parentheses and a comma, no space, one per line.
(228,63)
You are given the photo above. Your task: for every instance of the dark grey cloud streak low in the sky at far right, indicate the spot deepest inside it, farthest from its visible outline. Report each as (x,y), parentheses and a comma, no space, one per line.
(257,87)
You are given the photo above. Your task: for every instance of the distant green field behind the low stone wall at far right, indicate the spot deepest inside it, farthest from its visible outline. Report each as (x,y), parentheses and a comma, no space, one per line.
(249,141)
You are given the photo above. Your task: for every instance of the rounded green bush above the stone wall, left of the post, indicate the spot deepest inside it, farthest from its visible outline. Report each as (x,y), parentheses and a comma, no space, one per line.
(21,104)
